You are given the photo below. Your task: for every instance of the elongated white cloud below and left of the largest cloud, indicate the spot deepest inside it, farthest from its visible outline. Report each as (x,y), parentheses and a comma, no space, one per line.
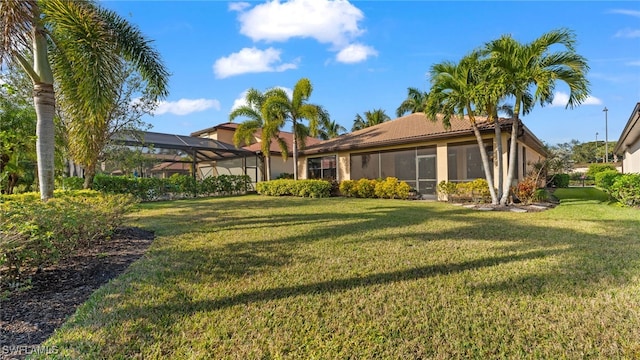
(251,60)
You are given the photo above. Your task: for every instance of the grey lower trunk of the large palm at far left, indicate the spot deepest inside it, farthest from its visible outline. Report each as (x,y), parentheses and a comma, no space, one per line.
(44,101)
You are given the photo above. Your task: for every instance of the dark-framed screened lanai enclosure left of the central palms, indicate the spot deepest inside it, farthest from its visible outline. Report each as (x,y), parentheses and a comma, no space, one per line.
(206,157)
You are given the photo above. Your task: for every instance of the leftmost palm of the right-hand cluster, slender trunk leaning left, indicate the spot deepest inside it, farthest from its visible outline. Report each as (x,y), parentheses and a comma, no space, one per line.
(455,91)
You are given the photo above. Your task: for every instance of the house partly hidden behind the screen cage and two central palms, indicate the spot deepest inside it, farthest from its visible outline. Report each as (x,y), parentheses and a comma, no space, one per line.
(224,133)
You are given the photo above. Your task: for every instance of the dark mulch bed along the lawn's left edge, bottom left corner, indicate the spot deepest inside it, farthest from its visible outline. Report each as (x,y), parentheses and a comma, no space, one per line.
(28,317)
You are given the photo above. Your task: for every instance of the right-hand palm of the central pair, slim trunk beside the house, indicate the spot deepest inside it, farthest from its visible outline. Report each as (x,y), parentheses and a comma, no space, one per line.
(279,106)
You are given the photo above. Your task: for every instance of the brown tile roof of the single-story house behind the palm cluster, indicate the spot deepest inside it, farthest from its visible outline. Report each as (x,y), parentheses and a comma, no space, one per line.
(407,129)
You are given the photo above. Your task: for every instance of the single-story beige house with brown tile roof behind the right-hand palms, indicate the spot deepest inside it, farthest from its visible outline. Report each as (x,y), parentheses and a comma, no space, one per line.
(418,151)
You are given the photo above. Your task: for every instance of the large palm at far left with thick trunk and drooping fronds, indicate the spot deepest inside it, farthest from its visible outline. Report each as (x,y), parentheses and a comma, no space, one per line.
(79,45)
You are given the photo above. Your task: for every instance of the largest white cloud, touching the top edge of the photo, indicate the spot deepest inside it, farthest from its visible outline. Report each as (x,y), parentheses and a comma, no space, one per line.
(333,22)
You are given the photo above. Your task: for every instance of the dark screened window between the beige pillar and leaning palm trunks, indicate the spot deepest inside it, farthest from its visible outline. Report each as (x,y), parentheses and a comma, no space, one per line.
(465,162)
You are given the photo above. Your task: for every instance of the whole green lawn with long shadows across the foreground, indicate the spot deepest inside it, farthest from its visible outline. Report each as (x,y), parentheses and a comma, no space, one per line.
(259,277)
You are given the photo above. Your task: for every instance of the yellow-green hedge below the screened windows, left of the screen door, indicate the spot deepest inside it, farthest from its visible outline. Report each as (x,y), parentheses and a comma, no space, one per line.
(389,188)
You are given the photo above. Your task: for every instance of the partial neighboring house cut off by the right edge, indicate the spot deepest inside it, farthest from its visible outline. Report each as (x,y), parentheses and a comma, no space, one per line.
(628,146)
